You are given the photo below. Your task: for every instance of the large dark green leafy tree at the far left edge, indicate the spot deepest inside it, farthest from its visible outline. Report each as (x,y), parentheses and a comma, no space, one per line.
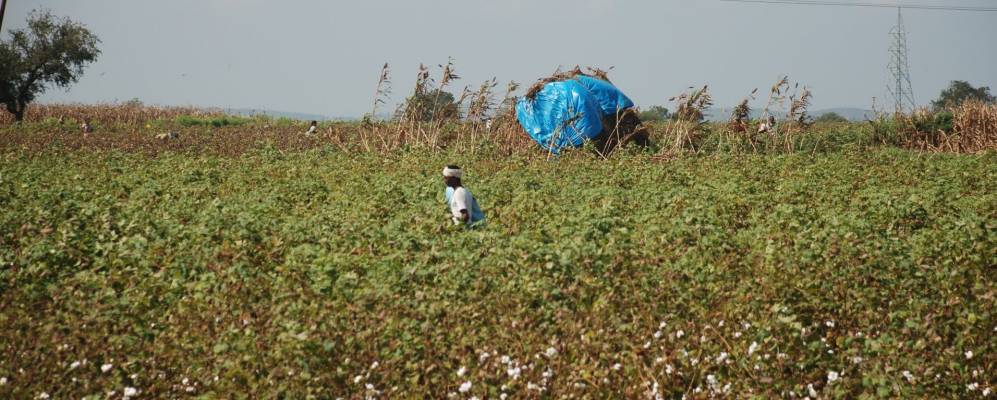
(51,51)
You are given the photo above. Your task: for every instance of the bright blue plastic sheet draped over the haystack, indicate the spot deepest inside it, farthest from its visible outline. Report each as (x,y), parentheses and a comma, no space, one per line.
(566,113)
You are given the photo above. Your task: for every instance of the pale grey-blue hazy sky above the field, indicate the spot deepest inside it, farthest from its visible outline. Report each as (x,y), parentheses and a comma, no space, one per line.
(324,56)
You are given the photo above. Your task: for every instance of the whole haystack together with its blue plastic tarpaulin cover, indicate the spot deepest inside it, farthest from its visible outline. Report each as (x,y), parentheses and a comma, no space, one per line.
(569,108)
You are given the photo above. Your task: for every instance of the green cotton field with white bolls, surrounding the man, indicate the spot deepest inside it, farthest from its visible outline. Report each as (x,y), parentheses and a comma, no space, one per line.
(848,272)
